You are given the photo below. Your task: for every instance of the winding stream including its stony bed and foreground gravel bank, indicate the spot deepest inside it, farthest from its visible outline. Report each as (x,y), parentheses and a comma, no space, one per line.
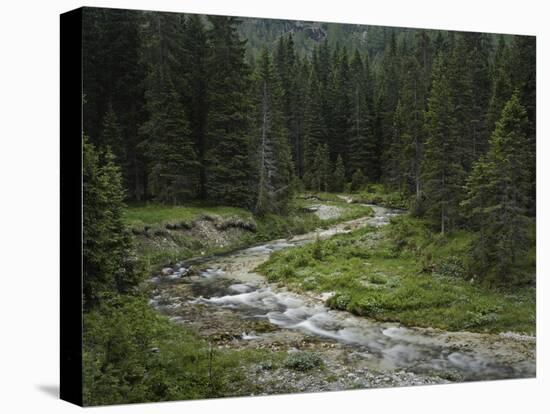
(224,299)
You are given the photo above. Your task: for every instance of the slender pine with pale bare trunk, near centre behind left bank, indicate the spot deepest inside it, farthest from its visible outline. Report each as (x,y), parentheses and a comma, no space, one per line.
(273,152)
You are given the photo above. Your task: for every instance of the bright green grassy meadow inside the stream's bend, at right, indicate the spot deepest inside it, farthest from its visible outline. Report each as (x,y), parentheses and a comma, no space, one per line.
(403,273)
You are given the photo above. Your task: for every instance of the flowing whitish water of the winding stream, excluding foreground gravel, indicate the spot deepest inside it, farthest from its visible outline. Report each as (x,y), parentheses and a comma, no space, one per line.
(229,283)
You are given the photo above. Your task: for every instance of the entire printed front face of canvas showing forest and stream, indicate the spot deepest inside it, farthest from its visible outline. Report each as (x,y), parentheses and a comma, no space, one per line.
(275,206)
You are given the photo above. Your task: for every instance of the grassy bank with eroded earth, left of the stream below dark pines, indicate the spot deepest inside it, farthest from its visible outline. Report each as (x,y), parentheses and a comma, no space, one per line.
(159,240)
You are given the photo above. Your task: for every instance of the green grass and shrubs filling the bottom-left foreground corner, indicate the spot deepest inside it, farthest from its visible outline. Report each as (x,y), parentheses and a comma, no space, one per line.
(133,354)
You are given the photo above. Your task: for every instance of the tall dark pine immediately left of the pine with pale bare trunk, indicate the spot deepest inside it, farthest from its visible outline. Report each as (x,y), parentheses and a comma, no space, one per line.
(228,159)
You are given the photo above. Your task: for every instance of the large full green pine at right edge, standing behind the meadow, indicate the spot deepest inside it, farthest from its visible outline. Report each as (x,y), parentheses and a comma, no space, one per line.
(498,195)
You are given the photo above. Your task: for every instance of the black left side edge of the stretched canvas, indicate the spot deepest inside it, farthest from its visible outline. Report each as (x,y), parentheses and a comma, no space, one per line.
(71,206)
